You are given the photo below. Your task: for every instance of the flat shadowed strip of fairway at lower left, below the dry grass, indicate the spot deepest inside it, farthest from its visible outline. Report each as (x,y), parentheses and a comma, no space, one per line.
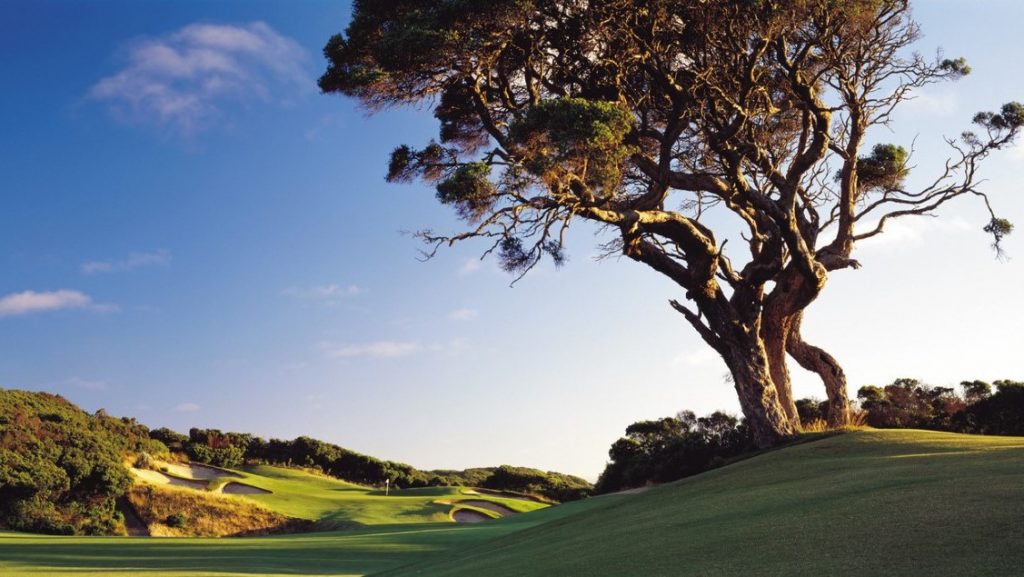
(359,552)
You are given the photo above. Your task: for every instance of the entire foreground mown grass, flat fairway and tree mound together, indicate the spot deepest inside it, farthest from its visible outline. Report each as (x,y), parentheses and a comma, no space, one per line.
(869,504)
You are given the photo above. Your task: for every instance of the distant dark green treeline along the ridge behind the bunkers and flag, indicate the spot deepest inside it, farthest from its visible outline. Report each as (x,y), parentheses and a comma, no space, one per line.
(233,449)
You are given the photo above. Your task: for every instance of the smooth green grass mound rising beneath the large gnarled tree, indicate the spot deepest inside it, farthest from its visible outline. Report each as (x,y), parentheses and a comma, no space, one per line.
(868,504)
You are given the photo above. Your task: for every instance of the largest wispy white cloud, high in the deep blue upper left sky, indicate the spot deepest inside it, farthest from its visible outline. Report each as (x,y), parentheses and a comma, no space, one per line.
(186,80)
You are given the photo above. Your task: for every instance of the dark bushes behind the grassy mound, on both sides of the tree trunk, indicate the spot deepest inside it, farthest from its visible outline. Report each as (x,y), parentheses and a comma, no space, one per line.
(668,449)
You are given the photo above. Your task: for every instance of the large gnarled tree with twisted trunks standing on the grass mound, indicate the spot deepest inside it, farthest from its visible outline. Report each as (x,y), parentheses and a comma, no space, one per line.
(650,116)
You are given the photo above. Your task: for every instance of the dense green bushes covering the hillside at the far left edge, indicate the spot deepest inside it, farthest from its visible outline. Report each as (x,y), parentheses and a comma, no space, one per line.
(61,469)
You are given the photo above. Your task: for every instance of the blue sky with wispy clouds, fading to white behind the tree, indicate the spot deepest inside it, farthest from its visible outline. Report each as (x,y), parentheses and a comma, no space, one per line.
(192,235)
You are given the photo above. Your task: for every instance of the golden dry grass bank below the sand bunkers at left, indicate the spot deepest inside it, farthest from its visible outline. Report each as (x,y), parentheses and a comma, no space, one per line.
(206,515)
